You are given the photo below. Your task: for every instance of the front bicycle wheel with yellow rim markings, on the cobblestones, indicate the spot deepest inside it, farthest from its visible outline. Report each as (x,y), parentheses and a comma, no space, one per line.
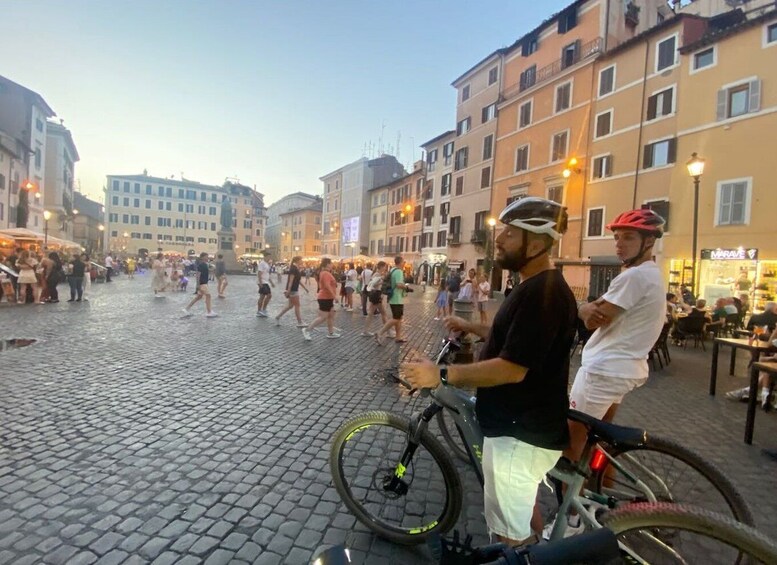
(365,456)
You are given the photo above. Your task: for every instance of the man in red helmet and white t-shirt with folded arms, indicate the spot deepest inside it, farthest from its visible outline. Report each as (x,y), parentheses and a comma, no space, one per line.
(628,319)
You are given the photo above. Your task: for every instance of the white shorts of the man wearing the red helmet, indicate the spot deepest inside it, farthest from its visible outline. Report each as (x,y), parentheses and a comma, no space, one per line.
(594,394)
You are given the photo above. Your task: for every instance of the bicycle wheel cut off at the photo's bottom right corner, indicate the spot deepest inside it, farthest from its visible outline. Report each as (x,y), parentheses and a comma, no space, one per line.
(673,533)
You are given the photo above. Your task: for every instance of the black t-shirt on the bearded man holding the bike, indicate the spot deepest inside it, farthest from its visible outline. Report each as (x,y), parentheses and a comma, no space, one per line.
(534,328)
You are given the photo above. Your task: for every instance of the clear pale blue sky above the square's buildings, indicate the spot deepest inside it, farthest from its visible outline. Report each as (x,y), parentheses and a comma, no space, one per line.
(275,94)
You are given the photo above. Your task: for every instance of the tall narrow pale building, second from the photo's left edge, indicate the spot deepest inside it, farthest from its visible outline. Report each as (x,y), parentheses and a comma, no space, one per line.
(58,196)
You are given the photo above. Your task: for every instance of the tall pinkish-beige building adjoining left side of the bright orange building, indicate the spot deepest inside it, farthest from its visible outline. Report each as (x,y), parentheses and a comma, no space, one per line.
(478,94)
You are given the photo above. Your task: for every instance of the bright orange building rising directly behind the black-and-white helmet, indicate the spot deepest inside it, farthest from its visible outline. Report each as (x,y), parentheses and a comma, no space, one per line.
(546,113)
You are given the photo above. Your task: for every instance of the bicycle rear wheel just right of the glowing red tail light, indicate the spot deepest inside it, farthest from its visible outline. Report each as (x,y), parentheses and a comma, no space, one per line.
(672,473)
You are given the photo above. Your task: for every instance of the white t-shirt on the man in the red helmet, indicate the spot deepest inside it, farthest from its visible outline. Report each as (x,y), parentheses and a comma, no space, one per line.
(621,348)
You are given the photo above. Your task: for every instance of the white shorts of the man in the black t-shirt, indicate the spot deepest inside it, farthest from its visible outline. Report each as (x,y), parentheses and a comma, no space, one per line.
(512,472)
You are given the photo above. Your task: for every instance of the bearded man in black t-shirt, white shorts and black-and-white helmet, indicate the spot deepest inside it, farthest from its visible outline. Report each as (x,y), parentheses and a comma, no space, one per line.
(523,370)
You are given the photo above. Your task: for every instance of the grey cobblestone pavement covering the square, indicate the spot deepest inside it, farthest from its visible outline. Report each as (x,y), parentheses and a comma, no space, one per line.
(130,435)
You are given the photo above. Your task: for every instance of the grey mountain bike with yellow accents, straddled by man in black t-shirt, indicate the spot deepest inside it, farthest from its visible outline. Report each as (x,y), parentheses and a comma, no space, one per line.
(399,480)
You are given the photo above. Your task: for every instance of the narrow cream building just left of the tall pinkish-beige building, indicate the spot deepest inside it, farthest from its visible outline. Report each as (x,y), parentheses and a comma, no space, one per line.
(437,204)
